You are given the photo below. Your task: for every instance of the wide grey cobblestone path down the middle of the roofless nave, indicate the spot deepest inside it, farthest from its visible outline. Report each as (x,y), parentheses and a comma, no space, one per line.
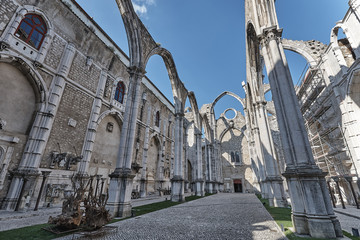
(221,216)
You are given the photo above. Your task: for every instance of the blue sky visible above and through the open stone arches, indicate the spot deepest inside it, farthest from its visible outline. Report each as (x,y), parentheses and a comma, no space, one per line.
(207,39)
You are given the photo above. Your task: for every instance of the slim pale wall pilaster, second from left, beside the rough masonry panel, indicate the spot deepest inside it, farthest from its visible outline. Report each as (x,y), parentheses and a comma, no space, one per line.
(92,126)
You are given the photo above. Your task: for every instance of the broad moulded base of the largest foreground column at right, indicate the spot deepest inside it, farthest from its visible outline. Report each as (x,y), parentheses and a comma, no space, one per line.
(312,210)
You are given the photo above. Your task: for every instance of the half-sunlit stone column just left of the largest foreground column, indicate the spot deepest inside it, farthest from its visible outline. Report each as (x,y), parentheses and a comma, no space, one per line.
(276,193)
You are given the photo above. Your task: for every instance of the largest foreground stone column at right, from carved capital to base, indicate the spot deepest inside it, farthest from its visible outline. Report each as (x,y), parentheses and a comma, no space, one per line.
(311,206)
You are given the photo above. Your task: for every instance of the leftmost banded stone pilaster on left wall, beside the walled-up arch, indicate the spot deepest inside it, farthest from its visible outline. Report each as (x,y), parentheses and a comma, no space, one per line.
(39,133)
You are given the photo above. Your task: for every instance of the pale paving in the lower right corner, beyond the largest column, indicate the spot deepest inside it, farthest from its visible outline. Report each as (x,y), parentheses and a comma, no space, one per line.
(349,218)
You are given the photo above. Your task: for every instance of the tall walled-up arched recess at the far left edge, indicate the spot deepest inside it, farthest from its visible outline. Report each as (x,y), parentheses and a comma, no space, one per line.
(19,100)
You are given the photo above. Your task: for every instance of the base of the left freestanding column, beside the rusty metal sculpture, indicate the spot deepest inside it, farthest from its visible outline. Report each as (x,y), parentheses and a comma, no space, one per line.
(119,202)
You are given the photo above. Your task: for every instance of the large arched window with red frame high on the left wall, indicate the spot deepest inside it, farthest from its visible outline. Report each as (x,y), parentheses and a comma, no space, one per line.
(32,30)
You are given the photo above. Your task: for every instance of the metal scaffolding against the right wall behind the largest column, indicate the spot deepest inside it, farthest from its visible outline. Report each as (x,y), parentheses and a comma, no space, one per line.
(327,141)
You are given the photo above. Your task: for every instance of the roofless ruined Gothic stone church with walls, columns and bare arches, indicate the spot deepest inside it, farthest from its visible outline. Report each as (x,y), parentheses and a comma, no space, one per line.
(72,103)
